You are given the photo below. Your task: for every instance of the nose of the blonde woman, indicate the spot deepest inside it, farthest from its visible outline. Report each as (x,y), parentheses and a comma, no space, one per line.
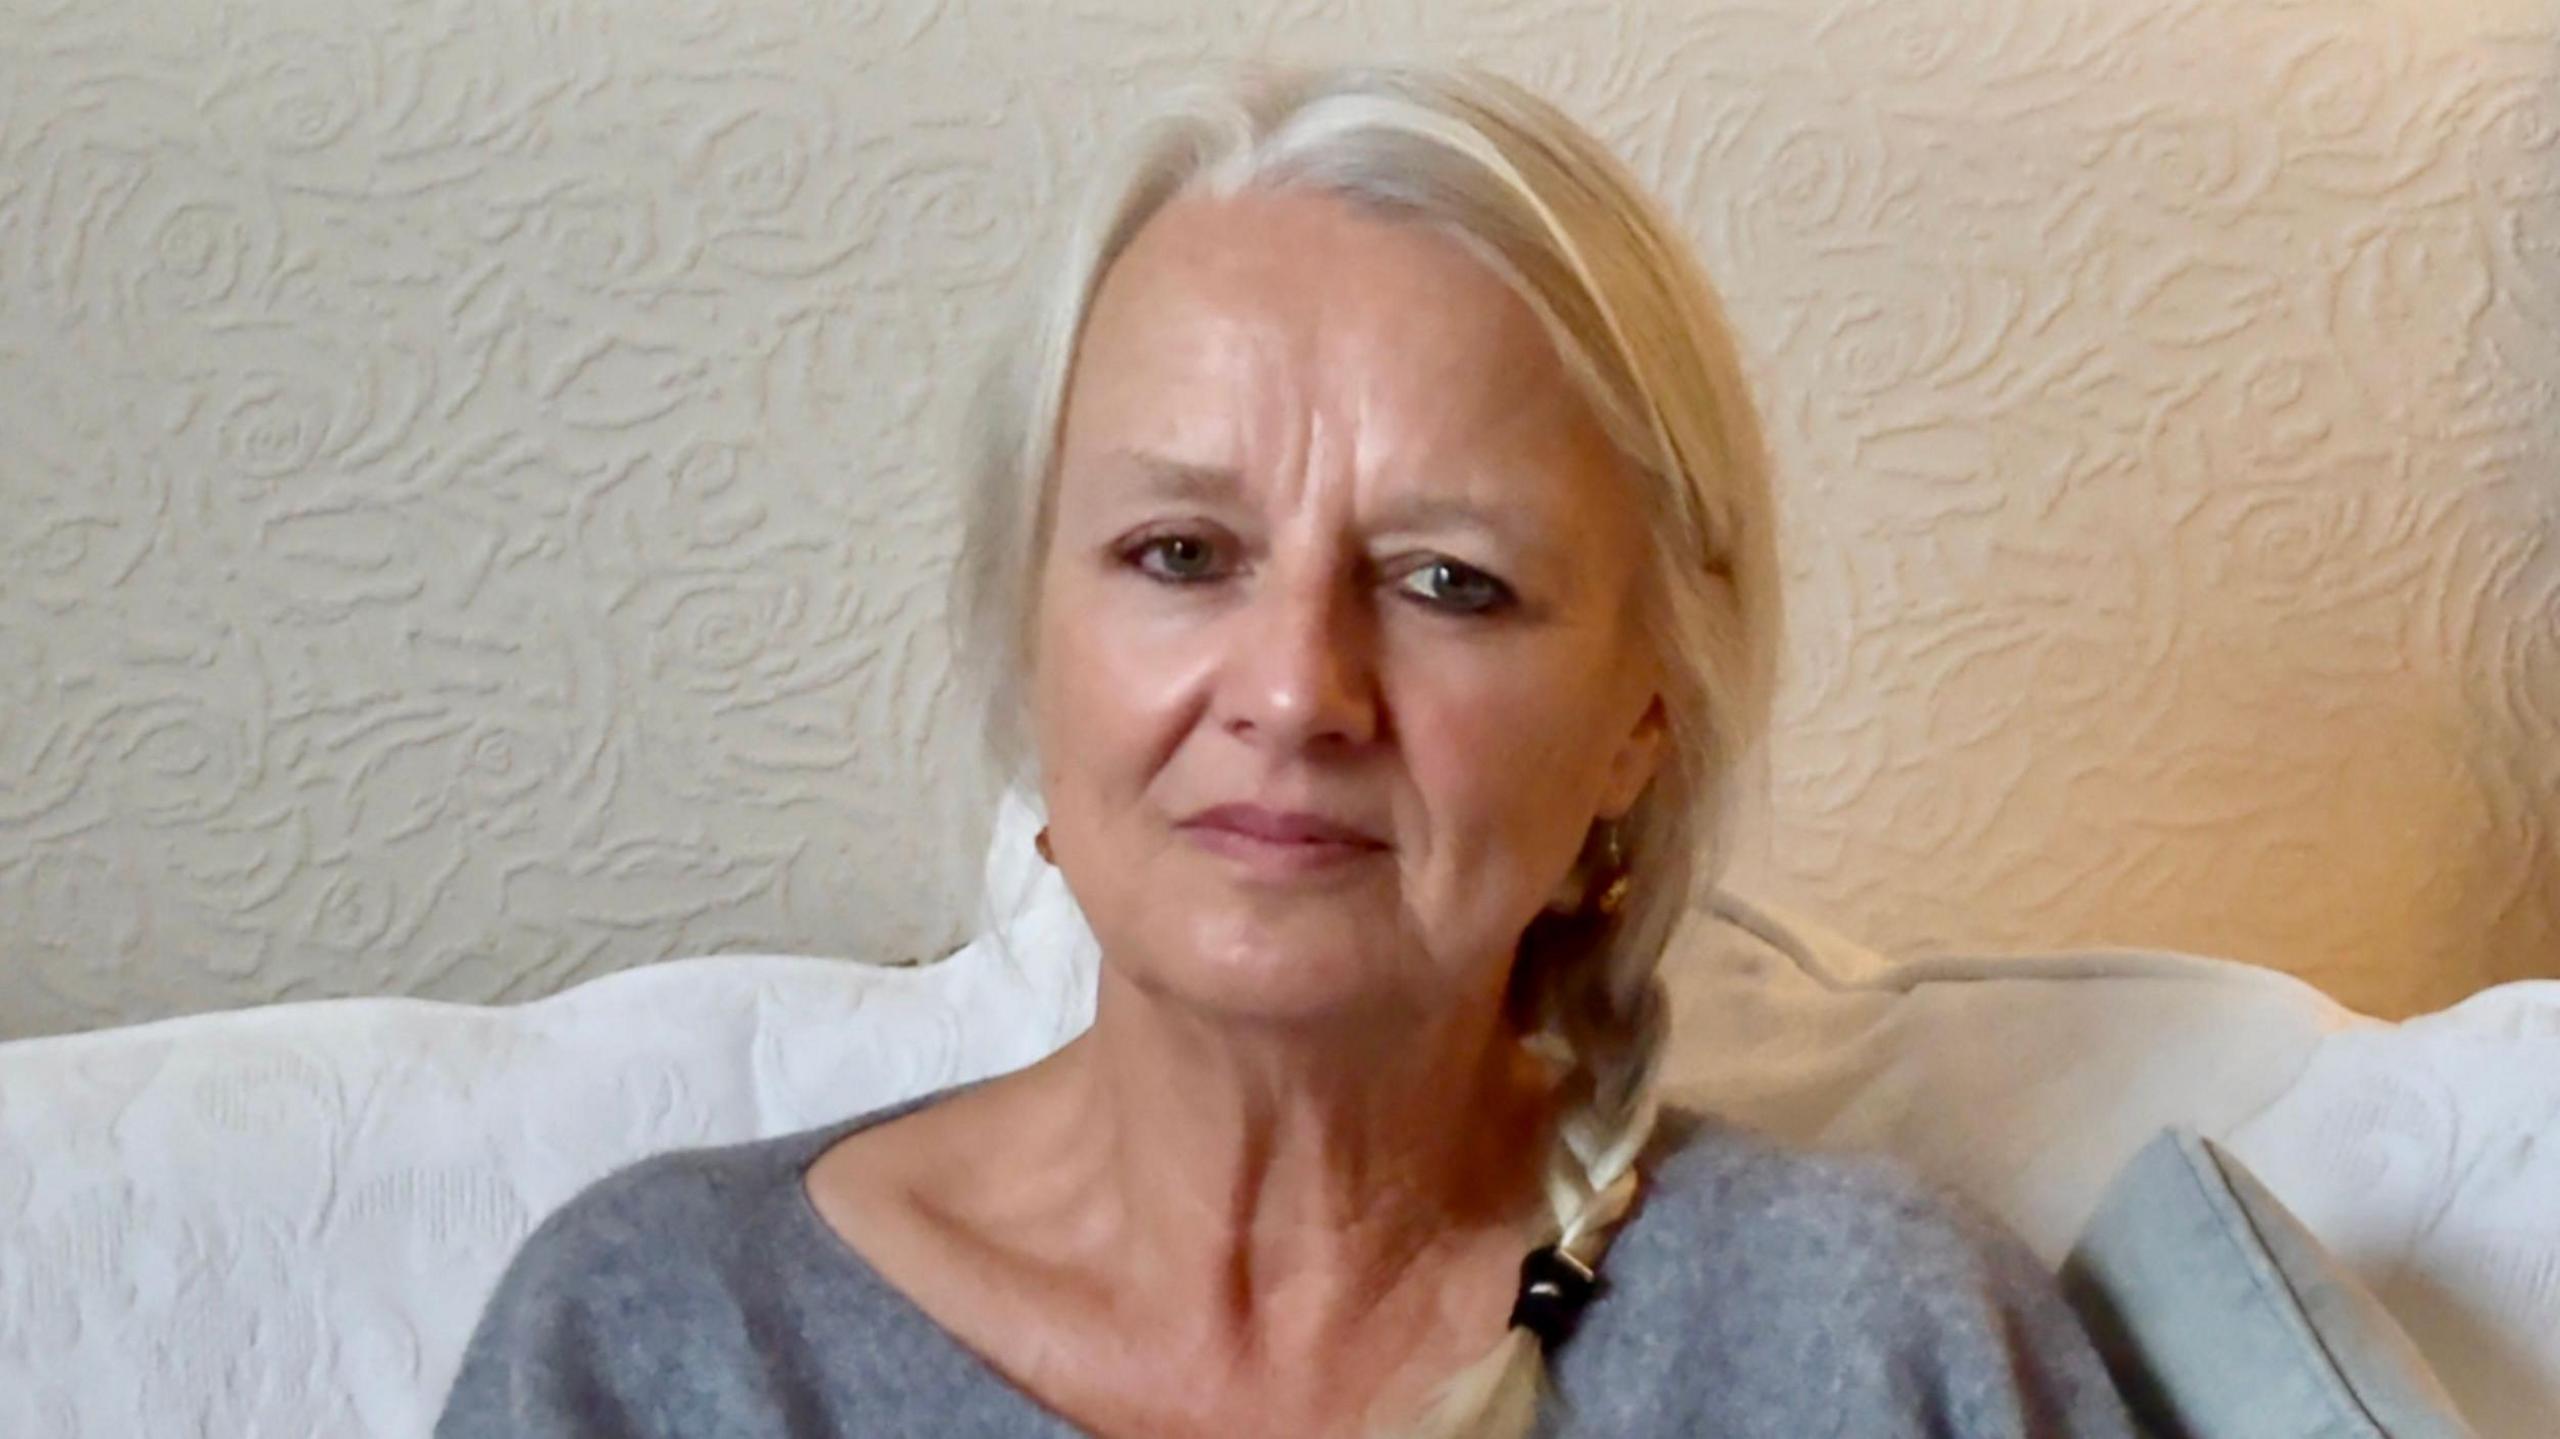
(1304,667)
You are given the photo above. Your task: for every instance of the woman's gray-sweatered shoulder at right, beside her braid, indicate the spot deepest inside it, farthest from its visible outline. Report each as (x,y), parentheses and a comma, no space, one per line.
(1901,1292)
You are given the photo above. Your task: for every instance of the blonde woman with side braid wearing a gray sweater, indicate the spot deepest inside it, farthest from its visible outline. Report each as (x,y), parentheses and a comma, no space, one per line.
(1373,570)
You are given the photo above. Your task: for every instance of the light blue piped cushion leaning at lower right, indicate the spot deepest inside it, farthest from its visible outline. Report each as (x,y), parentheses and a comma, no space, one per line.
(2226,1320)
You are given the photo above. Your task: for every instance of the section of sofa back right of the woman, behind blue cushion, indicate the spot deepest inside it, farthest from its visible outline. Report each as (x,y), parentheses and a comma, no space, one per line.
(2423,1154)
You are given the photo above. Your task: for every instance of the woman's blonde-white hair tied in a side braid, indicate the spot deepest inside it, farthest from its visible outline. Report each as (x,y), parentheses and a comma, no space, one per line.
(1642,334)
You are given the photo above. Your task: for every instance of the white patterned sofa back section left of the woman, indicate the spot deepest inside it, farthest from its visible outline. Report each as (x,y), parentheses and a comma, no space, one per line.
(285,1220)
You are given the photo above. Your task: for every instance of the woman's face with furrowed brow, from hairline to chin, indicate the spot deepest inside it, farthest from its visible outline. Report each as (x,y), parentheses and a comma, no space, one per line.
(1338,654)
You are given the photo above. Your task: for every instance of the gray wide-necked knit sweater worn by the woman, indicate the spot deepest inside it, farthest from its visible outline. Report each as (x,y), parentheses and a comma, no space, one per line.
(1757,1292)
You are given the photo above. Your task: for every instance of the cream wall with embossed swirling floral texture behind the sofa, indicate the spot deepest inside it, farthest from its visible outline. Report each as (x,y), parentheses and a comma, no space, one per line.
(472,521)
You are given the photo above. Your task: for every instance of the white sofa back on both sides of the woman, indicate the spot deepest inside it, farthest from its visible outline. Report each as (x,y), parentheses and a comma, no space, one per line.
(285,1220)
